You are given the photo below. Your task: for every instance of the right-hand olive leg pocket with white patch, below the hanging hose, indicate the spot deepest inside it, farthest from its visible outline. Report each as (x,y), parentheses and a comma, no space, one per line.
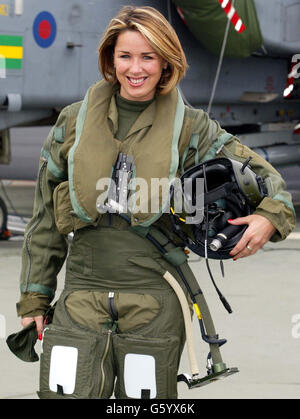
(146,367)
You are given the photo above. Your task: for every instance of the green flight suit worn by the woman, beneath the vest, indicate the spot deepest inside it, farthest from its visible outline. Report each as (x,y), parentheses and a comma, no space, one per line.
(114,301)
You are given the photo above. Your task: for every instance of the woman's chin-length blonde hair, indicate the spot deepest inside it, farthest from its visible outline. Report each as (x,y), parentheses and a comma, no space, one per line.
(160,35)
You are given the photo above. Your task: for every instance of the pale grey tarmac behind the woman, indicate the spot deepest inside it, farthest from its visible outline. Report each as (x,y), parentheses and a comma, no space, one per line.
(263,332)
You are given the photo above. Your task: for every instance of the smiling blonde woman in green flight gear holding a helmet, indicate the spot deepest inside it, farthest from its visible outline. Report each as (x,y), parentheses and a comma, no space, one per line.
(117,311)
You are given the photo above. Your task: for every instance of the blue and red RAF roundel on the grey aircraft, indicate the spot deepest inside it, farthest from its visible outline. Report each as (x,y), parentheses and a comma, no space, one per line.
(44,29)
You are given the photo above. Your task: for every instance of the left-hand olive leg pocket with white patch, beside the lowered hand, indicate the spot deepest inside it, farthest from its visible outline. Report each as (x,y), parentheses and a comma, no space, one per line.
(72,363)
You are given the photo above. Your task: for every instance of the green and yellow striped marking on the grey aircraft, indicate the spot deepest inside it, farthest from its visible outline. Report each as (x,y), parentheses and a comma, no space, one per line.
(11,52)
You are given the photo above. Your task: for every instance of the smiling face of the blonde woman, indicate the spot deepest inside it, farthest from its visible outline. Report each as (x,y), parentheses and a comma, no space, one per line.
(138,66)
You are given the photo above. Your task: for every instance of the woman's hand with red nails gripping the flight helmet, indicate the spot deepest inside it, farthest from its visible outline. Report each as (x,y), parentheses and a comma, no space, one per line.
(259,231)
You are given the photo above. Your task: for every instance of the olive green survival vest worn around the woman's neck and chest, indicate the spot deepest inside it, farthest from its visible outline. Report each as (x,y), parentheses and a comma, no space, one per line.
(152,141)
